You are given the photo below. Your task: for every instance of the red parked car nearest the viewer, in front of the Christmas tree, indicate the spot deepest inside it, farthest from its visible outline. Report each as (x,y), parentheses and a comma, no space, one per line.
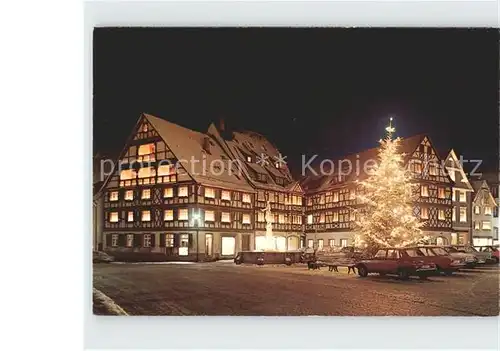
(404,262)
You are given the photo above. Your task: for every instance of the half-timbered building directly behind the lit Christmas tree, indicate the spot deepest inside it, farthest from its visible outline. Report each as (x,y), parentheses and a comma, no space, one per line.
(331,199)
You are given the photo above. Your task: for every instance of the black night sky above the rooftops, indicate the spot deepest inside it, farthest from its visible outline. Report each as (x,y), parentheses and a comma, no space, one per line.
(310,91)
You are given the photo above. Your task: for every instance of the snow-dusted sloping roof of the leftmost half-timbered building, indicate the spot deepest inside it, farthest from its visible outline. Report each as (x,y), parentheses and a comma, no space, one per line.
(187,144)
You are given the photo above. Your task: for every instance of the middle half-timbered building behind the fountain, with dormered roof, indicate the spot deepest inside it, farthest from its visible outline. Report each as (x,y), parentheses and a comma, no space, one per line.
(263,167)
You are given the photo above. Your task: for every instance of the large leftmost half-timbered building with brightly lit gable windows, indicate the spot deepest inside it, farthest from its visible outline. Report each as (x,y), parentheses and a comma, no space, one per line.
(175,195)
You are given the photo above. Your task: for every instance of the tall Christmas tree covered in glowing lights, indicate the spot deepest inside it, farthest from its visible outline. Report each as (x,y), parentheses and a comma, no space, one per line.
(386,216)
